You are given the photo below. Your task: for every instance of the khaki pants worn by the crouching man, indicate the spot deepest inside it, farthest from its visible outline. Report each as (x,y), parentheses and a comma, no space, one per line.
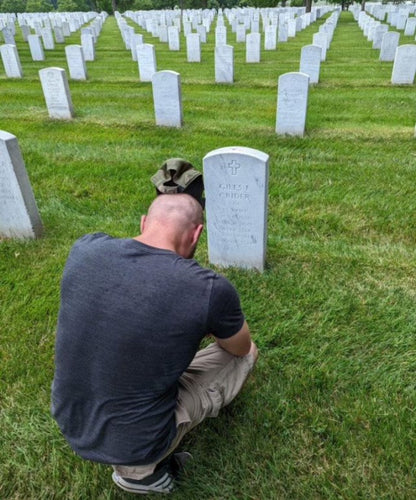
(212,381)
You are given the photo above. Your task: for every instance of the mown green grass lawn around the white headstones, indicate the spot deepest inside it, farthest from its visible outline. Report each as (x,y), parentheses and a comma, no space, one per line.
(329,412)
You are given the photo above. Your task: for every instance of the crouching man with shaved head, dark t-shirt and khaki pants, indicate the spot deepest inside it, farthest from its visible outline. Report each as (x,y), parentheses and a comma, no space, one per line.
(129,379)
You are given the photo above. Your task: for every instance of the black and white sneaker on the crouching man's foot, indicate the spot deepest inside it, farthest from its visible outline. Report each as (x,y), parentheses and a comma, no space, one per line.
(161,481)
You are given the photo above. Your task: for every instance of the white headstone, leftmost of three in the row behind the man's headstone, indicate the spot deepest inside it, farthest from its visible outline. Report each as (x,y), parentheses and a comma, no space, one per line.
(56,92)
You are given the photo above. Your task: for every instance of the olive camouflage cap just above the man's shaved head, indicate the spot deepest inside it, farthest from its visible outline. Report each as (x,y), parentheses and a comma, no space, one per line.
(177,175)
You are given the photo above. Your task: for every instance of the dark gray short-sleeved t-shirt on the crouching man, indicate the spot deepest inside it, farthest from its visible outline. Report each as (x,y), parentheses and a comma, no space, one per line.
(130,322)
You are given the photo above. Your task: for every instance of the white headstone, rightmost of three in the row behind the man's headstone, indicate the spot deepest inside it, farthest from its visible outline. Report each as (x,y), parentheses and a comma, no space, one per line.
(292,103)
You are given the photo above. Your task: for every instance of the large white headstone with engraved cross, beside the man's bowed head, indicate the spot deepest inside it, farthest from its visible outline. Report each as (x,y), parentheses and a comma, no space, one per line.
(236,190)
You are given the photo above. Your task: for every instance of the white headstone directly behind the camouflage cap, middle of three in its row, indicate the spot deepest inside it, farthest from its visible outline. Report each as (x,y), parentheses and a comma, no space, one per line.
(167,98)
